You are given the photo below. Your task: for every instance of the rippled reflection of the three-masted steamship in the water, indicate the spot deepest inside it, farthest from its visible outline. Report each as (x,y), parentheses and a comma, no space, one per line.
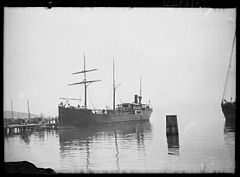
(82,138)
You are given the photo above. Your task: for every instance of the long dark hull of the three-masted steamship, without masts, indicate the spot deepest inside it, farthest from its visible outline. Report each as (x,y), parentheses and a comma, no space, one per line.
(75,117)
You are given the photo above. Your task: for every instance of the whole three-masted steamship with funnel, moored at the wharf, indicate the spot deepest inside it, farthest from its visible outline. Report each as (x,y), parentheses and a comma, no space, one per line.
(82,115)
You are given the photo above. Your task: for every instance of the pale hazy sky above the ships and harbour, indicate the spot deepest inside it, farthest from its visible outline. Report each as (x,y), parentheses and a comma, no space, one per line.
(182,56)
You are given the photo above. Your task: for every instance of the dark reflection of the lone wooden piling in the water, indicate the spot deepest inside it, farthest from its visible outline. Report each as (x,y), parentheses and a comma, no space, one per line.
(173,145)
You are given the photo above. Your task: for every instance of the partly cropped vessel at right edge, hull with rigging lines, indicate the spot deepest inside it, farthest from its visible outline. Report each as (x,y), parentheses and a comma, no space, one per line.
(229,106)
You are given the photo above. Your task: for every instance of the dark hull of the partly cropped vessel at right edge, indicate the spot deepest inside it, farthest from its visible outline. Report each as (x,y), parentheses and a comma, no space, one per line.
(229,111)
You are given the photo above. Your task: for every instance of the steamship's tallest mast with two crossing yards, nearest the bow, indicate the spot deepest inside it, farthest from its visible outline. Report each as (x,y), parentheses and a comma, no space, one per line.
(84,81)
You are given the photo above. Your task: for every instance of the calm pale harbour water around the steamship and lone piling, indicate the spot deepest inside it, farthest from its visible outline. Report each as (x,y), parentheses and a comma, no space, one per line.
(206,144)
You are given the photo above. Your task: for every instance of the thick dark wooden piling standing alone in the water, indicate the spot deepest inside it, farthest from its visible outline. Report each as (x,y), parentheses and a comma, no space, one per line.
(171,125)
